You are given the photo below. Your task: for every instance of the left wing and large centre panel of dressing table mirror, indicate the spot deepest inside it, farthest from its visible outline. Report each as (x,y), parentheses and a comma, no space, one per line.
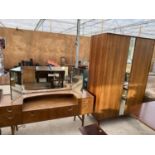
(29,79)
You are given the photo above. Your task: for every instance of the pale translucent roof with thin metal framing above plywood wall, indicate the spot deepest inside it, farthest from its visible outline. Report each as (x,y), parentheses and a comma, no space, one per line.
(89,27)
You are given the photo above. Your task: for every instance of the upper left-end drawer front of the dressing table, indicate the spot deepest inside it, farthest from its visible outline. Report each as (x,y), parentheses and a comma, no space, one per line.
(10,110)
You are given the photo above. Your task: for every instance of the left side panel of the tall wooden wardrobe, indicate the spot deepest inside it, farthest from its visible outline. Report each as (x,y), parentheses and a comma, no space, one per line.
(97,56)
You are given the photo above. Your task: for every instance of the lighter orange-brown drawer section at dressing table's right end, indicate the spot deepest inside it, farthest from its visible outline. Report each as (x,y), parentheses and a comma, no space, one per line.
(86,106)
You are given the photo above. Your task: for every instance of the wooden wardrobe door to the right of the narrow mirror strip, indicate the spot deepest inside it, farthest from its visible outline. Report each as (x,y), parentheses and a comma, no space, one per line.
(139,72)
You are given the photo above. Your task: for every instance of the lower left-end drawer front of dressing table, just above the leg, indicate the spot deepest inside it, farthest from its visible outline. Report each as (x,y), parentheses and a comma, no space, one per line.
(10,119)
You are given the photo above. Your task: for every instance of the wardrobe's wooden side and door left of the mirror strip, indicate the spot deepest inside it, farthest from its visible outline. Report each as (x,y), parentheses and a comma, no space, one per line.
(107,70)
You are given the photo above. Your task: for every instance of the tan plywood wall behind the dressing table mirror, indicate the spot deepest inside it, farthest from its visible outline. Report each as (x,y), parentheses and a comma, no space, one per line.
(41,46)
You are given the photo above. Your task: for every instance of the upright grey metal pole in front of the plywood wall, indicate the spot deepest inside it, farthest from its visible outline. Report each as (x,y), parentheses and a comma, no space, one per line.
(77,43)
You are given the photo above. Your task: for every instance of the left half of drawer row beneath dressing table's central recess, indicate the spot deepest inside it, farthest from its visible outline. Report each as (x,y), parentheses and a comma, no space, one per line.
(35,116)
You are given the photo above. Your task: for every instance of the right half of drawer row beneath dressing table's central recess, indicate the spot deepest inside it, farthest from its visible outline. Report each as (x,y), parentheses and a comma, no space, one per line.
(63,112)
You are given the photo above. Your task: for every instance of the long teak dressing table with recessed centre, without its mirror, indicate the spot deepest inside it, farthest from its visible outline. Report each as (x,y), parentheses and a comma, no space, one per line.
(43,106)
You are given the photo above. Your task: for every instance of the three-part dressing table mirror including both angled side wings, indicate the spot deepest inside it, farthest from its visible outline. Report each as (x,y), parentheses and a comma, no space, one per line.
(31,79)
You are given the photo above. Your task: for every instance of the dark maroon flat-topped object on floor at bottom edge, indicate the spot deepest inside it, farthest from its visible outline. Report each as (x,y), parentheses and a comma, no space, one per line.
(92,129)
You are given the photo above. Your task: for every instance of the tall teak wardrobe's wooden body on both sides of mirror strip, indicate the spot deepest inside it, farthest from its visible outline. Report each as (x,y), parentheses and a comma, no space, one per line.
(107,69)
